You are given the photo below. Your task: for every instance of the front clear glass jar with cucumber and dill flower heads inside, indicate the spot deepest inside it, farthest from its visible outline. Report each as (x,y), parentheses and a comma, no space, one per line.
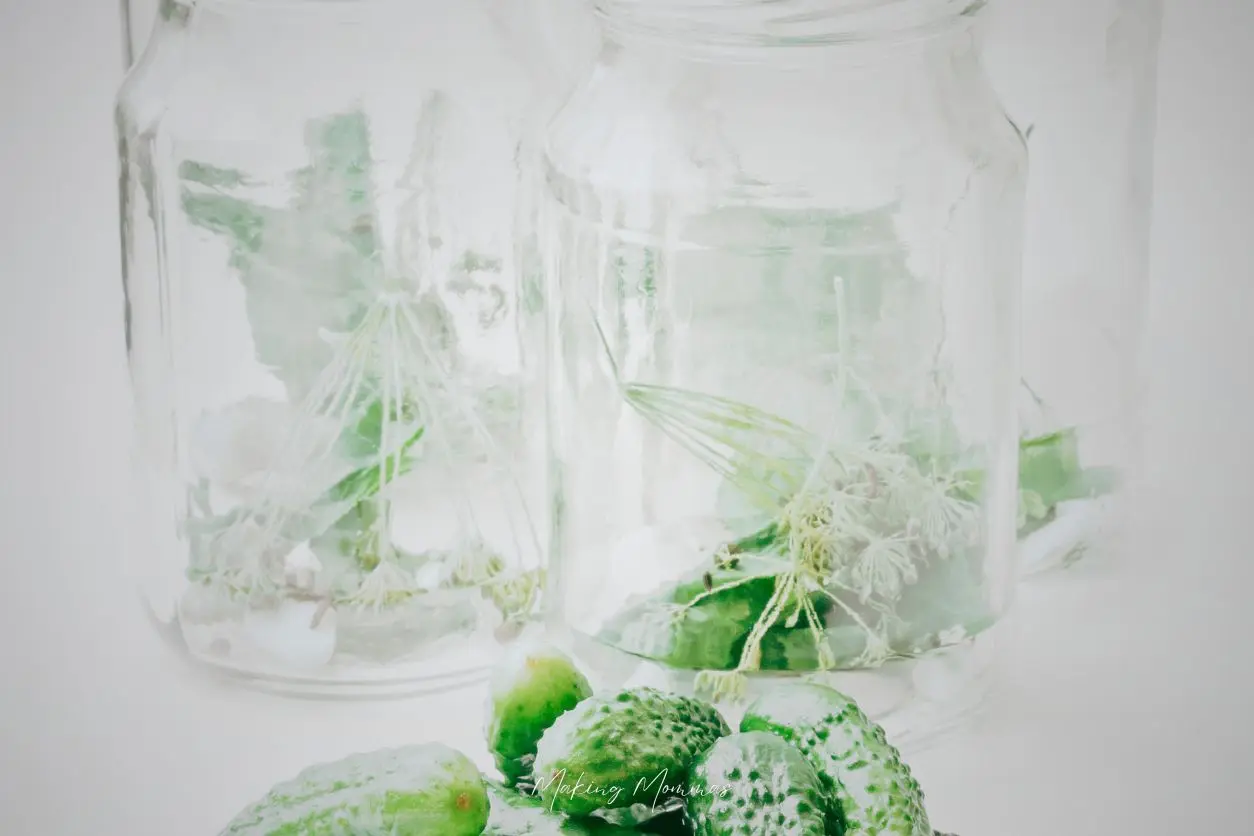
(783,253)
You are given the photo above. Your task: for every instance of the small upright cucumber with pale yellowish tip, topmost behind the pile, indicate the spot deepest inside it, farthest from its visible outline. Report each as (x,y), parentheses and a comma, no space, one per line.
(535,686)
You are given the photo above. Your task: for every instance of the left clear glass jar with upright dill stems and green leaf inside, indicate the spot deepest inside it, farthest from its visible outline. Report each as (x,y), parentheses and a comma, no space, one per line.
(337,471)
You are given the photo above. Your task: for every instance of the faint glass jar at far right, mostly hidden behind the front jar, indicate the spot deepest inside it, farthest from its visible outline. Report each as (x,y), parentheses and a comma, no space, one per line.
(1079,78)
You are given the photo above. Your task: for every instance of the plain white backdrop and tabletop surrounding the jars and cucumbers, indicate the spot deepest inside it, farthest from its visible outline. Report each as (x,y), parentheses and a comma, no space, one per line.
(1124,710)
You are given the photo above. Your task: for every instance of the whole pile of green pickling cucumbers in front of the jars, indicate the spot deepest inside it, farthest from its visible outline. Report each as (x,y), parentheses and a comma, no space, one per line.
(804,763)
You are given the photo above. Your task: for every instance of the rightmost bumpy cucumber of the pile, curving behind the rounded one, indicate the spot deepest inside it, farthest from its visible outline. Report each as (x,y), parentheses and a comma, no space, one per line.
(875,788)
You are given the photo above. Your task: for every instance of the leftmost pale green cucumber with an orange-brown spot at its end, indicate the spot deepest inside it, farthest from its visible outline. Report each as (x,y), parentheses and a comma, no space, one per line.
(424,789)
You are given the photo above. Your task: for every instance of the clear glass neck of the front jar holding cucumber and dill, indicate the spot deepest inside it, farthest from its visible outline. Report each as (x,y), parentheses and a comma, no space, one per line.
(743,27)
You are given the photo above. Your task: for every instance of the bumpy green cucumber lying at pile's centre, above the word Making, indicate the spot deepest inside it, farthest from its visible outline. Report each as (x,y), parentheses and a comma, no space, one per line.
(618,750)
